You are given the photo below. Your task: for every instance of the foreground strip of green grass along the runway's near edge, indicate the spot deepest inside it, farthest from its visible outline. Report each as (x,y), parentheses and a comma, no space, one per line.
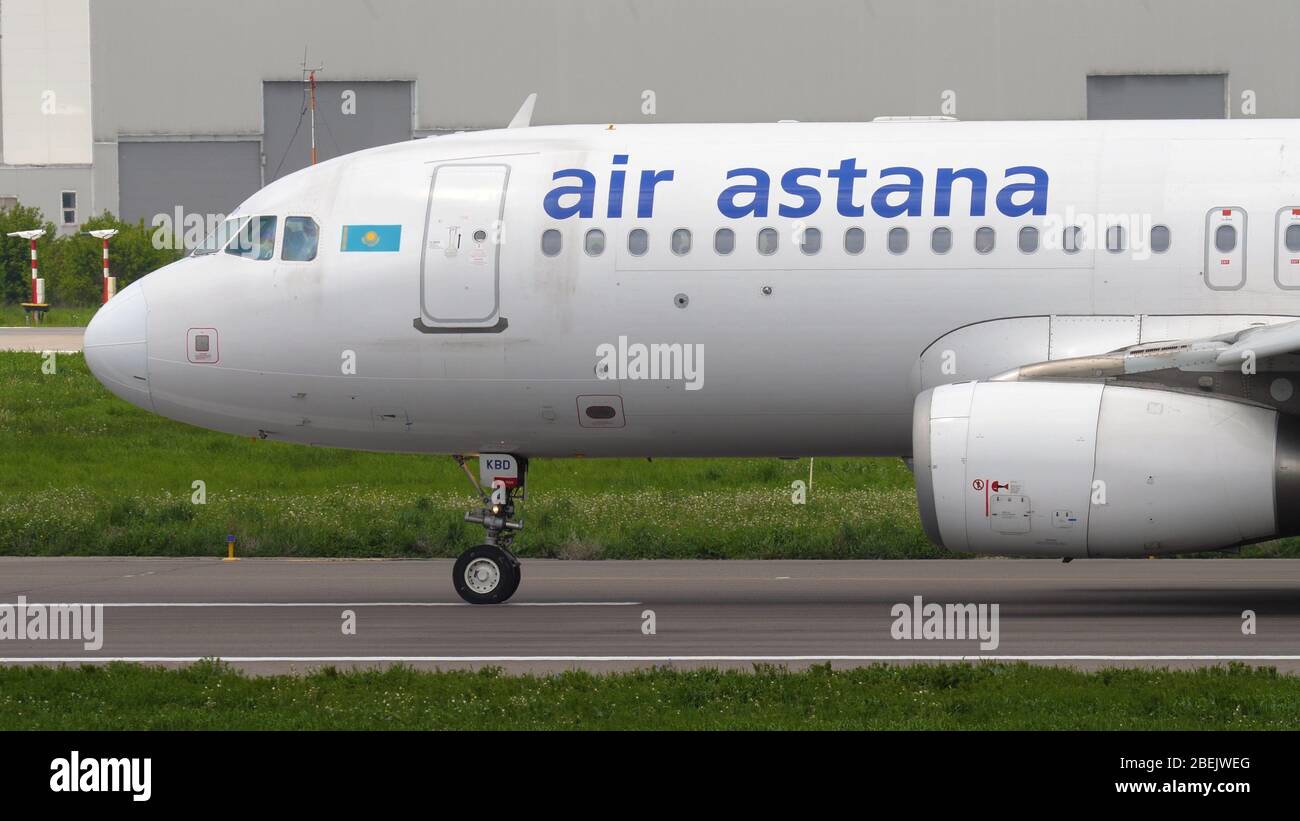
(933,697)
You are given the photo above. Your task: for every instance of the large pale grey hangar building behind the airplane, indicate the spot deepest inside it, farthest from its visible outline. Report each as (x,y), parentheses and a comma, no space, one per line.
(161,108)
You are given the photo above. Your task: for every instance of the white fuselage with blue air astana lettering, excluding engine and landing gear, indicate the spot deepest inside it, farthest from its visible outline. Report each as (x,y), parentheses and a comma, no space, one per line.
(452,344)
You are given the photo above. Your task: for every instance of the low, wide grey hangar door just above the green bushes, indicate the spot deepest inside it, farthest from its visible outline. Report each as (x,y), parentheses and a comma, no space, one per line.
(205,179)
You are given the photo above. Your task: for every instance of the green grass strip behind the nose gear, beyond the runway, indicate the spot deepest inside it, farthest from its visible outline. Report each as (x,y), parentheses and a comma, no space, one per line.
(85,474)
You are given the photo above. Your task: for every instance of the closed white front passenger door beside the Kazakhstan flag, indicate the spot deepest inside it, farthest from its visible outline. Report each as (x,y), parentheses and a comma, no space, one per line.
(460,263)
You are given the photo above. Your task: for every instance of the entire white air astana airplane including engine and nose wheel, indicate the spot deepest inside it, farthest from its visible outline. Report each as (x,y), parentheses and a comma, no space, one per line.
(1084,335)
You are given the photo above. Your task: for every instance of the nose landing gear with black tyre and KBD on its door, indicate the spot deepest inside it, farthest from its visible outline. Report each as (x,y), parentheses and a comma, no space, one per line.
(491,574)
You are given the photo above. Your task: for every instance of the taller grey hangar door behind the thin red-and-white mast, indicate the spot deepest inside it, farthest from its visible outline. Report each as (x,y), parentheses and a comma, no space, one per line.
(349,118)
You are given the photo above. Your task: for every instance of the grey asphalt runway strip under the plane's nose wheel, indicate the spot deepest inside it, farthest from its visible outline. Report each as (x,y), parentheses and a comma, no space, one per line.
(289,615)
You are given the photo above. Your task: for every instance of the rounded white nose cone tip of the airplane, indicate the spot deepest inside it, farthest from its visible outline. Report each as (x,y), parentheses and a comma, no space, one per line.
(116,346)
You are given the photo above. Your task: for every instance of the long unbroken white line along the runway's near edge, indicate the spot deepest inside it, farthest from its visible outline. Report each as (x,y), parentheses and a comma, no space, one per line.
(610,659)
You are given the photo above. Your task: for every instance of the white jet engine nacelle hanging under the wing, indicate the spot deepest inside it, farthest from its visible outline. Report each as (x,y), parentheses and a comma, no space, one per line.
(1100,471)
